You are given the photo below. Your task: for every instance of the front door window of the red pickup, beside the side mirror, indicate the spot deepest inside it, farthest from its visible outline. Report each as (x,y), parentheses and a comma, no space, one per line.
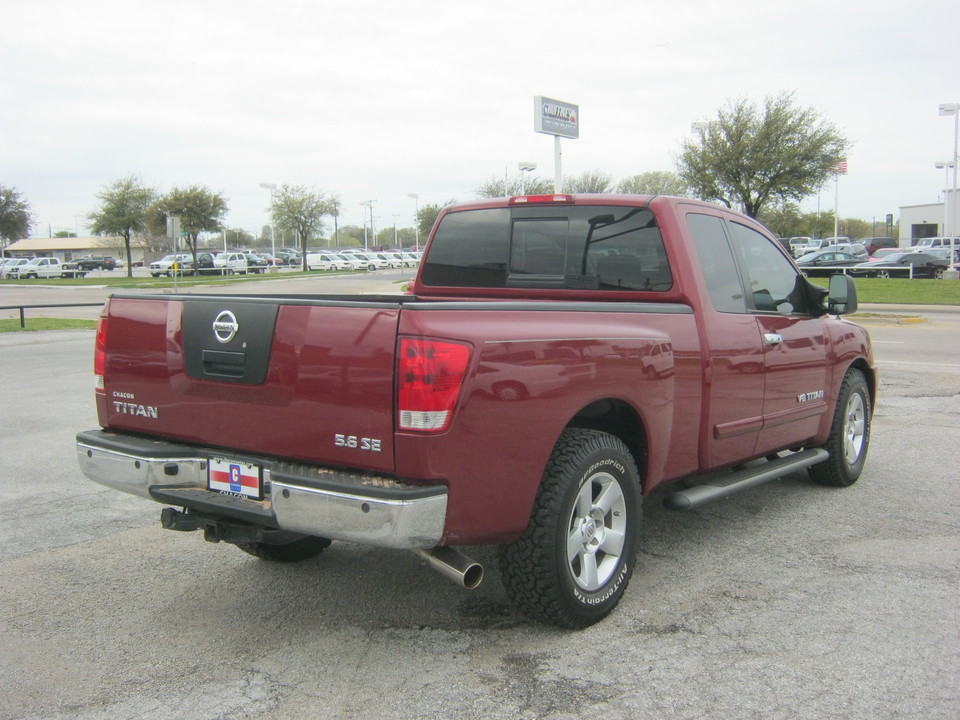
(775,284)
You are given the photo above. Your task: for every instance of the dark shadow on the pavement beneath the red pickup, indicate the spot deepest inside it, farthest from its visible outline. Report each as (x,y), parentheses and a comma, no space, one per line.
(376,588)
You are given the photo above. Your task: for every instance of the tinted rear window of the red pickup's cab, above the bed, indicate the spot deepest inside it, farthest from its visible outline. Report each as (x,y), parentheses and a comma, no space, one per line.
(600,247)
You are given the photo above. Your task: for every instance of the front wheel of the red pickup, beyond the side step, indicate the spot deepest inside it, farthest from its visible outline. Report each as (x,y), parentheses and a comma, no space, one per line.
(849,434)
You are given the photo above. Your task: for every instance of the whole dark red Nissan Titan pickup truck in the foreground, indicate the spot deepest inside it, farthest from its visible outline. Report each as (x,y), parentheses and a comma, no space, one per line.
(557,358)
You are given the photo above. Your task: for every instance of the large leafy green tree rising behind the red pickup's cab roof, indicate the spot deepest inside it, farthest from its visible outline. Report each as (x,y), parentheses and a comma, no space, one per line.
(750,156)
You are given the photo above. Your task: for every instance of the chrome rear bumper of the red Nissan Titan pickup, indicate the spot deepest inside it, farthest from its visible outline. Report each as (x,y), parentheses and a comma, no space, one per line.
(309,500)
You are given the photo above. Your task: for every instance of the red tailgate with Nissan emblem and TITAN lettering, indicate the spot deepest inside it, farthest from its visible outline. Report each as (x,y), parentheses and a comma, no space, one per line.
(308,379)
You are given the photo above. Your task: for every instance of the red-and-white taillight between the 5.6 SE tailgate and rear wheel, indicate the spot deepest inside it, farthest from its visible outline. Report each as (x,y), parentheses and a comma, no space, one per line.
(429,376)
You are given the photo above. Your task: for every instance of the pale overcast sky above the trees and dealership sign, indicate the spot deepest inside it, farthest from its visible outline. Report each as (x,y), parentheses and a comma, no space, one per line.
(375,100)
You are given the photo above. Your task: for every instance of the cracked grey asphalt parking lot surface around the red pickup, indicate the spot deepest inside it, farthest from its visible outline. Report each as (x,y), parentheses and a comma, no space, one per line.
(787,601)
